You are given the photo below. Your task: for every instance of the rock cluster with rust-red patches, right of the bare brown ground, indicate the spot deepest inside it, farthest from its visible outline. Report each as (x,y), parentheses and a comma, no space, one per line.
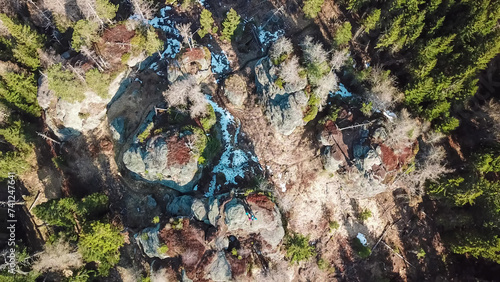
(360,154)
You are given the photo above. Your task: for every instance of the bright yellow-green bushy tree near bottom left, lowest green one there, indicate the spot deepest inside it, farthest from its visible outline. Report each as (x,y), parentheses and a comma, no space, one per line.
(101,245)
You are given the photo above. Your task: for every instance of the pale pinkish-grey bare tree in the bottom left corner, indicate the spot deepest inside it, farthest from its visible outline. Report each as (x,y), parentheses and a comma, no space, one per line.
(58,256)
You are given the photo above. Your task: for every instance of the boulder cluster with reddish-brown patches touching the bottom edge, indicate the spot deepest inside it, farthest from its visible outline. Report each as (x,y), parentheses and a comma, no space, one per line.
(214,237)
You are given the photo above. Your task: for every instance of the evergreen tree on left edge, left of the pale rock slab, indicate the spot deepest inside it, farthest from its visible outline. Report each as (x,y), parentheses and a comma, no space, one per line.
(20,90)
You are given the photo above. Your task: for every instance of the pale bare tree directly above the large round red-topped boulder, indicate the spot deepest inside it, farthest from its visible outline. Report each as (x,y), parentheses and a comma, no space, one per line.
(187,92)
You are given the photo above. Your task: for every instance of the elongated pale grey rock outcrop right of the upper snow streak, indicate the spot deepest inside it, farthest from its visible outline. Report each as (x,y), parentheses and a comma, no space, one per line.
(284,106)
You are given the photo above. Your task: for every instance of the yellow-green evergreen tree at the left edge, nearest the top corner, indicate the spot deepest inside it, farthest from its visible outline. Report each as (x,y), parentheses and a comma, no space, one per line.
(24,43)
